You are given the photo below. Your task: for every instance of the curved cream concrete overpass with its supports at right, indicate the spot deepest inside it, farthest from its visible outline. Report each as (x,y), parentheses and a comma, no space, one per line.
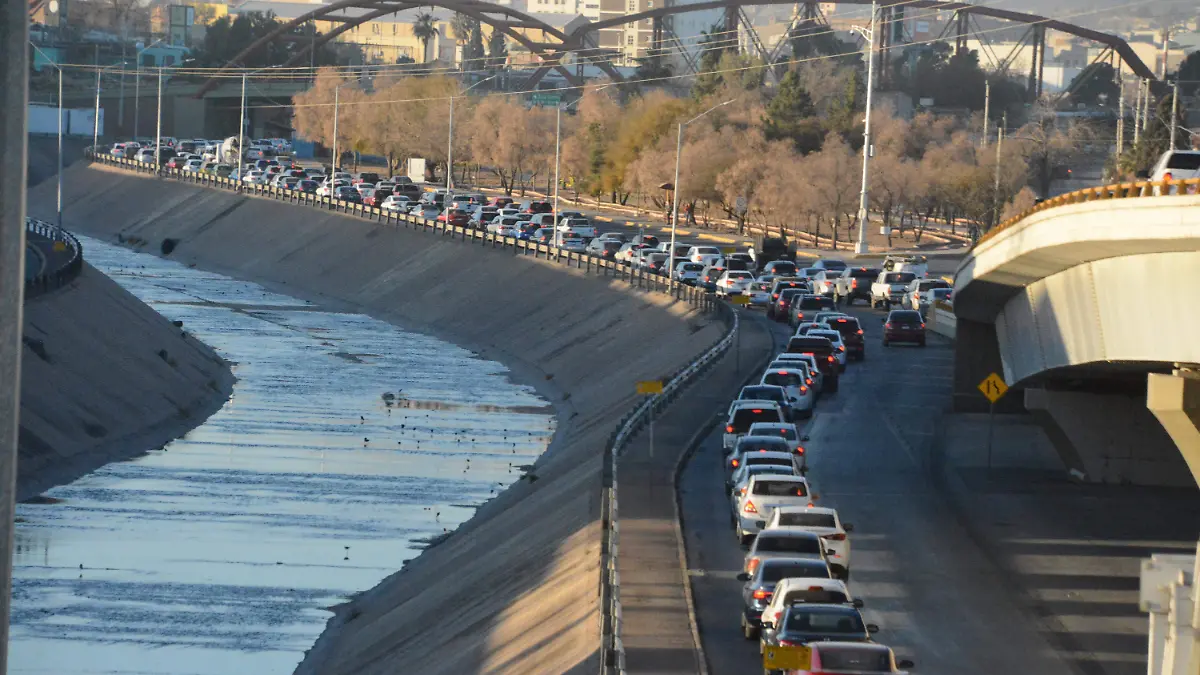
(1088,304)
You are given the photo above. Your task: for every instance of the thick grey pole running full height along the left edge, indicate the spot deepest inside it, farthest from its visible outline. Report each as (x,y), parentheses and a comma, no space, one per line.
(14,107)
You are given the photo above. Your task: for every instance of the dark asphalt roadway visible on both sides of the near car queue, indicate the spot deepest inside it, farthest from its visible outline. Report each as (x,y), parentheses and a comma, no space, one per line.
(937,598)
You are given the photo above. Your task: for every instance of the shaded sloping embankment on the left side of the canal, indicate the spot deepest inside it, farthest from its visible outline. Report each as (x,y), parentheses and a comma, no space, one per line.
(105,379)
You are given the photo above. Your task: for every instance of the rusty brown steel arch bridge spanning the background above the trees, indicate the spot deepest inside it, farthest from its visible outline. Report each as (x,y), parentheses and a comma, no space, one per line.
(553,55)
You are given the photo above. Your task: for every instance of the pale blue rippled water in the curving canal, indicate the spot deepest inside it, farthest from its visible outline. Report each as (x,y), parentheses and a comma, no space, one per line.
(346,446)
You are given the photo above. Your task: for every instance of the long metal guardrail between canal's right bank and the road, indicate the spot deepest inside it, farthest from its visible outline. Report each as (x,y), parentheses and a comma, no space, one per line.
(613,650)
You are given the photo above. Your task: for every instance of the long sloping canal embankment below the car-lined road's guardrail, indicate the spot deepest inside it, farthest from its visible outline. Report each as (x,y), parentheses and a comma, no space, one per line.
(514,590)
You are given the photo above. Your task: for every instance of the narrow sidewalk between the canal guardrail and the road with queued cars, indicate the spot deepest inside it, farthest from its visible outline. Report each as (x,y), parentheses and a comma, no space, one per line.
(658,628)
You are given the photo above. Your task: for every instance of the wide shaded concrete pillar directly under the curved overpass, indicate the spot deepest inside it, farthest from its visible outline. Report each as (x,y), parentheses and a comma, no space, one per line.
(1109,439)
